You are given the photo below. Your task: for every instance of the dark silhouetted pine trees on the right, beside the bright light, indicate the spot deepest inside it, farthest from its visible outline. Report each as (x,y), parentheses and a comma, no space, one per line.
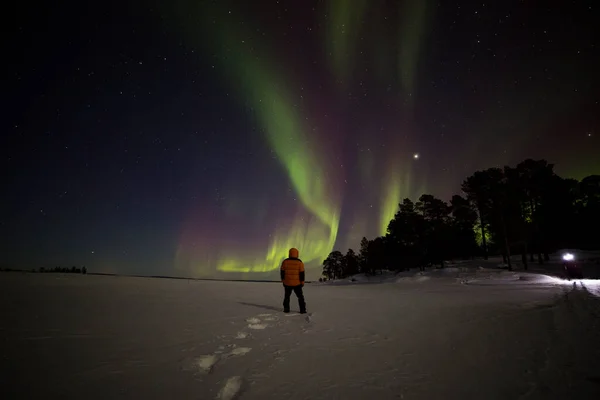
(527,210)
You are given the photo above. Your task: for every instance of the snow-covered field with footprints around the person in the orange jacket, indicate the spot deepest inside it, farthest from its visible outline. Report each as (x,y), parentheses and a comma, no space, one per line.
(466,332)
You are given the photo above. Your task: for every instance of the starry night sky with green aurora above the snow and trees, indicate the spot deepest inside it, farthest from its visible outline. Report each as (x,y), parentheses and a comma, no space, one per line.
(205,138)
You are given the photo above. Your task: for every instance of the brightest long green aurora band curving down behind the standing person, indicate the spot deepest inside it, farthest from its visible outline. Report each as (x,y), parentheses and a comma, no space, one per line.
(262,88)
